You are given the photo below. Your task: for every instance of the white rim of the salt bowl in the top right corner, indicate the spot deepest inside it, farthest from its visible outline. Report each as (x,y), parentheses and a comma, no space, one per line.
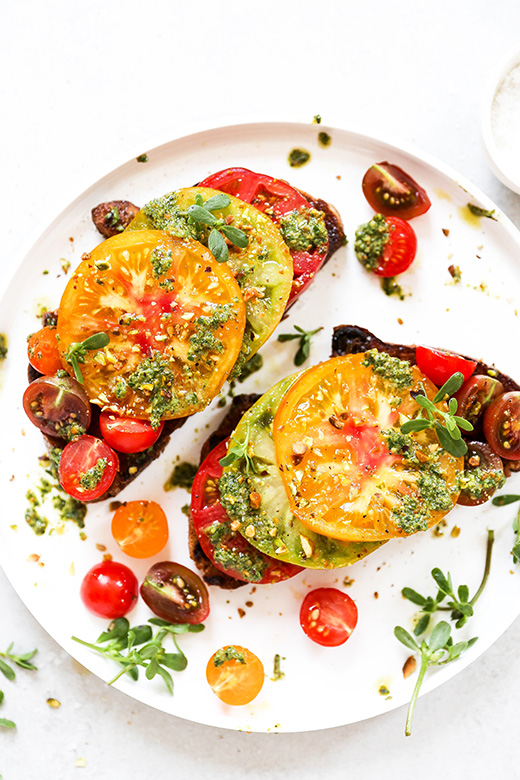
(497,159)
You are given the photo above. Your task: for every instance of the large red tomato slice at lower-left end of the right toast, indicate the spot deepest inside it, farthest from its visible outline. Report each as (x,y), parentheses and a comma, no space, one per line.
(226,548)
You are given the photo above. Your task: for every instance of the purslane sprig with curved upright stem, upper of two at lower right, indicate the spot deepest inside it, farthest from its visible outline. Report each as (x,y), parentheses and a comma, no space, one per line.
(459,604)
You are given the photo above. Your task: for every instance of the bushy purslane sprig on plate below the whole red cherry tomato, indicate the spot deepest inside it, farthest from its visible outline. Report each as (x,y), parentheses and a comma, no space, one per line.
(139,646)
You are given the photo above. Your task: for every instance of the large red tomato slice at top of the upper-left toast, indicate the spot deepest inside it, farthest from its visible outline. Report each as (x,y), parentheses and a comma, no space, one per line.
(277,199)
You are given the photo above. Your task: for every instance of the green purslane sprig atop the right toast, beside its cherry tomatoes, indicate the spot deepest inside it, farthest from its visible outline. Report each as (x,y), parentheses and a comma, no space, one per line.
(447,425)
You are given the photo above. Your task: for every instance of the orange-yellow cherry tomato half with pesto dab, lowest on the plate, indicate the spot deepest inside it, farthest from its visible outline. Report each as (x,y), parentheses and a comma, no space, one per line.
(235,675)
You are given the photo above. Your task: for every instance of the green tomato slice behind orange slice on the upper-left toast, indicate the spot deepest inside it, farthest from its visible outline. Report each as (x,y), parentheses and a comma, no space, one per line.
(263,270)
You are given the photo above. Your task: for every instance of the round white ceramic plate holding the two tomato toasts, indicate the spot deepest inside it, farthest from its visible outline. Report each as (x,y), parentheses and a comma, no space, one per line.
(323,687)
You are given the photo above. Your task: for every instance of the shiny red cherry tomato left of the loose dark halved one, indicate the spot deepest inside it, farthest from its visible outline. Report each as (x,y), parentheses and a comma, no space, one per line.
(109,589)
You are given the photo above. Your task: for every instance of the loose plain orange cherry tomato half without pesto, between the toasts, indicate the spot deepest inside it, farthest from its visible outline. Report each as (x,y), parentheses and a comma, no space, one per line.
(140,528)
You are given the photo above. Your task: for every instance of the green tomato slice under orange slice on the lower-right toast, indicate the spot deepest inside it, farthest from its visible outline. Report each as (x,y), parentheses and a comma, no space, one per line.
(272,528)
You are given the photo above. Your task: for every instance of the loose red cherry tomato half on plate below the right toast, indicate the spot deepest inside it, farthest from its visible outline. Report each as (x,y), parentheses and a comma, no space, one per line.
(328,616)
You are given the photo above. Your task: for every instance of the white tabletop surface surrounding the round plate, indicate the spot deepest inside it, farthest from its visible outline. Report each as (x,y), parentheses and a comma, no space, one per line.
(85,83)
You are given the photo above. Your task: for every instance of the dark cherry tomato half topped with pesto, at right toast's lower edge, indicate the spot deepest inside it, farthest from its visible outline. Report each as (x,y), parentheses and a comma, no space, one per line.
(483,474)
